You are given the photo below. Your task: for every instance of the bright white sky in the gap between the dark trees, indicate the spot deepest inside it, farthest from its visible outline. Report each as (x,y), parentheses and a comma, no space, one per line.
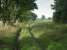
(44,8)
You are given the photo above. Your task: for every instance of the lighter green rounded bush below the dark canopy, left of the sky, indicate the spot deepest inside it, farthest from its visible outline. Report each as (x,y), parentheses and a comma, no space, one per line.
(27,16)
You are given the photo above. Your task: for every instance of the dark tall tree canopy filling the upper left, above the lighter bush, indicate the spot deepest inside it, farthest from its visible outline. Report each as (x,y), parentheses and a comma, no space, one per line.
(12,10)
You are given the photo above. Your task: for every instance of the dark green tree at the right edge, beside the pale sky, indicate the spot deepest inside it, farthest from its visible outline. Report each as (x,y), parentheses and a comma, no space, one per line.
(60,11)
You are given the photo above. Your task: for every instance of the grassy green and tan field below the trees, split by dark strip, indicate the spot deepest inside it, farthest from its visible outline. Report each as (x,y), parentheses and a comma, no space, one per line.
(42,36)
